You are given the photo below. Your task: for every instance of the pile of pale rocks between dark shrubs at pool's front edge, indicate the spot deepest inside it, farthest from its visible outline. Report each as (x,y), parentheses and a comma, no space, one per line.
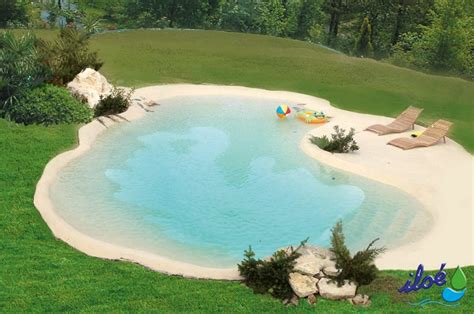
(311,277)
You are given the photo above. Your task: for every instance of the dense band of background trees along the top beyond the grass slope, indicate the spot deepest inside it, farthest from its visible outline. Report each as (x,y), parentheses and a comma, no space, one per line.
(433,35)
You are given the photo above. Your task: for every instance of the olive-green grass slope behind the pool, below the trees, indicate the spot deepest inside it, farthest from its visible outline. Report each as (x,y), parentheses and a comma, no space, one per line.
(140,58)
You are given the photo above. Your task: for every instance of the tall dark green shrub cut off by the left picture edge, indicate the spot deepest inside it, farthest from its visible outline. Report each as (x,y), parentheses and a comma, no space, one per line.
(21,67)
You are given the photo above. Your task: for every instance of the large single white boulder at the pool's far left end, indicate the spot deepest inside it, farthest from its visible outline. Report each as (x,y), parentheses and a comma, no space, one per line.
(91,85)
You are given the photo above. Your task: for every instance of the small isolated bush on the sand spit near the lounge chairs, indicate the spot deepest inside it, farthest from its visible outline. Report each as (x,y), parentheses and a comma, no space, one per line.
(339,142)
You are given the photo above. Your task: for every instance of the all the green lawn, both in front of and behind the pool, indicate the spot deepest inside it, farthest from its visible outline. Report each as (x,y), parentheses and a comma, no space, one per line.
(40,273)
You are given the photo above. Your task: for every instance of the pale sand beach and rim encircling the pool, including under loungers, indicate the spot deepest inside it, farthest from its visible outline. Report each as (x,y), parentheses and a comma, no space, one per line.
(440,177)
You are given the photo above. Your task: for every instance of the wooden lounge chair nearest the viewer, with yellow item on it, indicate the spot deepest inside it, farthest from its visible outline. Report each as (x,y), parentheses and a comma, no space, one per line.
(429,137)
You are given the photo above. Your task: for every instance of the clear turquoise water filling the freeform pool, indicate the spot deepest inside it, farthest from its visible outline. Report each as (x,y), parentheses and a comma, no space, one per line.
(202,178)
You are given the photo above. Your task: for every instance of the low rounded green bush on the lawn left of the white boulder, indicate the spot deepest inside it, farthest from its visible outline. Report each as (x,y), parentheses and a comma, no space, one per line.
(47,105)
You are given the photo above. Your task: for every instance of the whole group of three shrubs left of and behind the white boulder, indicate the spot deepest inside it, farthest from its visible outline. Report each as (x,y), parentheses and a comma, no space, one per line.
(27,63)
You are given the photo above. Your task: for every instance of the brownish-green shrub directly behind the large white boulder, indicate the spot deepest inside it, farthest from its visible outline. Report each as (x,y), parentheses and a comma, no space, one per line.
(68,55)
